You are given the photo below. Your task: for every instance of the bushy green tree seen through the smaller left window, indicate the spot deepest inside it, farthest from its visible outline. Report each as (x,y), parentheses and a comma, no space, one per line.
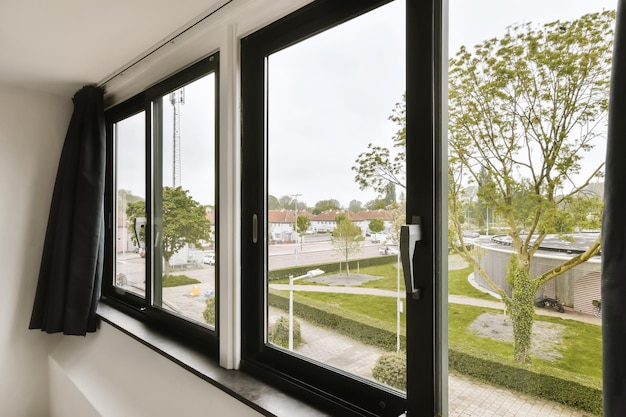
(184,222)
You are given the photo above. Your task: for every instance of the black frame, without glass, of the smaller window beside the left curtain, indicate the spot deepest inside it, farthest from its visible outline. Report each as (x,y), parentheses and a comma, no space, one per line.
(191,334)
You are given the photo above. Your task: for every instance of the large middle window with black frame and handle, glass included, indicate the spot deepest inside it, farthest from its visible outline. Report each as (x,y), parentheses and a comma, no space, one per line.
(318,87)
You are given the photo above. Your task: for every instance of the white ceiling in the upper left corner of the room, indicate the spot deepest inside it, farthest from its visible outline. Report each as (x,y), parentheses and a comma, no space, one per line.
(57,46)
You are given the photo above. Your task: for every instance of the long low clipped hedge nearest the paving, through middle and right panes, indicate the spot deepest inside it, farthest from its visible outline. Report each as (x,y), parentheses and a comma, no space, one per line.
(583,393)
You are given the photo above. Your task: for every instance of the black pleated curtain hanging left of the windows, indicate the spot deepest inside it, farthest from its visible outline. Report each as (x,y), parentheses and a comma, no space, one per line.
(71,265)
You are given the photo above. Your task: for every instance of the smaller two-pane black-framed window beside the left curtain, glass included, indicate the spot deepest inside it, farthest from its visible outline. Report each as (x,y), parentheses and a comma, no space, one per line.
(162,199)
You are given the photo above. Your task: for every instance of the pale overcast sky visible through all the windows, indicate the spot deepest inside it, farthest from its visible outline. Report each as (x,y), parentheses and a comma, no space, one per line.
(330,96)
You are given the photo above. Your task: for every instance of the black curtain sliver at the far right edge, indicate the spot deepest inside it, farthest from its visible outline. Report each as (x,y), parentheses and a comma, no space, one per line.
(614,234)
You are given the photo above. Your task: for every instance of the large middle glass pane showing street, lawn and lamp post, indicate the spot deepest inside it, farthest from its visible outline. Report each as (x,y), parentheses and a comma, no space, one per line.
(330,99)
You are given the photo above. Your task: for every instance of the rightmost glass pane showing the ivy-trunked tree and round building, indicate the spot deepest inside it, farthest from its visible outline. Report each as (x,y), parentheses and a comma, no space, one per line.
(528,89)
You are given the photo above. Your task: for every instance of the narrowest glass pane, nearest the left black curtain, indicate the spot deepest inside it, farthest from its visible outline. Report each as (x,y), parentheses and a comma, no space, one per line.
(130,177)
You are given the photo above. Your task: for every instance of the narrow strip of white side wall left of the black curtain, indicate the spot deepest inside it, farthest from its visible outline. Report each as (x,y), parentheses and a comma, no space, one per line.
(32,130)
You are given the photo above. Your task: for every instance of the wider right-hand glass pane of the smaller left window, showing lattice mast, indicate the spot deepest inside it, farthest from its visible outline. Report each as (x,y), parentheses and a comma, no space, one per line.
(184,201)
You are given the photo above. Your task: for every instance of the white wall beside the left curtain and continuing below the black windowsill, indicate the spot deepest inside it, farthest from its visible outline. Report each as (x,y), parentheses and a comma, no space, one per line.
(106,373)
